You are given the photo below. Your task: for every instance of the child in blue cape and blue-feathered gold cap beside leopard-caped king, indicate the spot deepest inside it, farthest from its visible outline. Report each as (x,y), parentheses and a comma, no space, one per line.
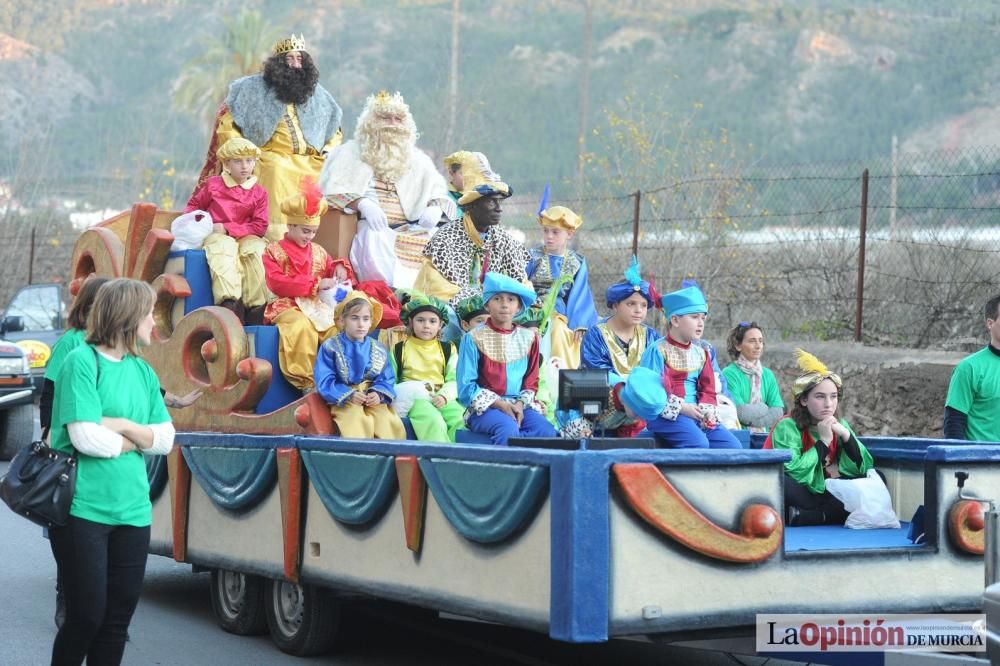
(553,265)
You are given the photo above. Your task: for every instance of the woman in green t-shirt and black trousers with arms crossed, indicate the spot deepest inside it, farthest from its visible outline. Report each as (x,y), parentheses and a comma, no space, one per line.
(108,411)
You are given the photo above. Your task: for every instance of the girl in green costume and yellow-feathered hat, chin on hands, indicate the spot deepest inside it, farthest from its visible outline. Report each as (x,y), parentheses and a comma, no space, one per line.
(822,446)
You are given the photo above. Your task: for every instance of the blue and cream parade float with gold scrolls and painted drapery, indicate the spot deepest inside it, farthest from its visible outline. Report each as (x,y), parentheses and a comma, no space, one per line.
(579,542)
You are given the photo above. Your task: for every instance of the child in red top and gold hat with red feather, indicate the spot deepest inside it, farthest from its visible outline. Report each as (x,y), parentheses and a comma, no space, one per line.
(297,271)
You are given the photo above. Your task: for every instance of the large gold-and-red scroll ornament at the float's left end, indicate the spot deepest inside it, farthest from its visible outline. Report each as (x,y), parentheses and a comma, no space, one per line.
(206,349)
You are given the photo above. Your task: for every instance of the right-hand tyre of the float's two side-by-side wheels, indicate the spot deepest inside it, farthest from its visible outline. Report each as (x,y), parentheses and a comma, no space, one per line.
(304,620)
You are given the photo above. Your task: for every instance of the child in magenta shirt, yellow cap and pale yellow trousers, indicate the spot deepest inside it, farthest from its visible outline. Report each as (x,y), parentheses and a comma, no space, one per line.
(238,206)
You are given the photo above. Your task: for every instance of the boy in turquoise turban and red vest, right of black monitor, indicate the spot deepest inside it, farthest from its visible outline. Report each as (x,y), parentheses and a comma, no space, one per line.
(690,417)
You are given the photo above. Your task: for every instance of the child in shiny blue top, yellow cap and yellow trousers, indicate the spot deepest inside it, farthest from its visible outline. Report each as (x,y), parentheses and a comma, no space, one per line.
(354,375)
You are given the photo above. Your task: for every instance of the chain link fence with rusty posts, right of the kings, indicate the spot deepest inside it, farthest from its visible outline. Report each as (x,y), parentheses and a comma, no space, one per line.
(785,246)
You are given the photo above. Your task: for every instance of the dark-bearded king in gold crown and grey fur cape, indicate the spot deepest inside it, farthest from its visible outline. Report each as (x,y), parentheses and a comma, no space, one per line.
(286,112)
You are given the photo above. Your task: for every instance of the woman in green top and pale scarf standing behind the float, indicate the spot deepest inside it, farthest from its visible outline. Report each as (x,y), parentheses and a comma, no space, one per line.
(753,387)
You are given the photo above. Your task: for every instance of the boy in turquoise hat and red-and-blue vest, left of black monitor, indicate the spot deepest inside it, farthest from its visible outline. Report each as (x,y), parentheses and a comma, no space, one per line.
(498,364)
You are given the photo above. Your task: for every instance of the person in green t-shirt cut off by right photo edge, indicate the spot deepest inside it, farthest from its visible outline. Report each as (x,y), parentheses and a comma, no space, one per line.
(972,408)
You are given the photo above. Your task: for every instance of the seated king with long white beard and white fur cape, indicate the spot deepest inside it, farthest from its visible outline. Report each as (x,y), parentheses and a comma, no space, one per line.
(393,186)
